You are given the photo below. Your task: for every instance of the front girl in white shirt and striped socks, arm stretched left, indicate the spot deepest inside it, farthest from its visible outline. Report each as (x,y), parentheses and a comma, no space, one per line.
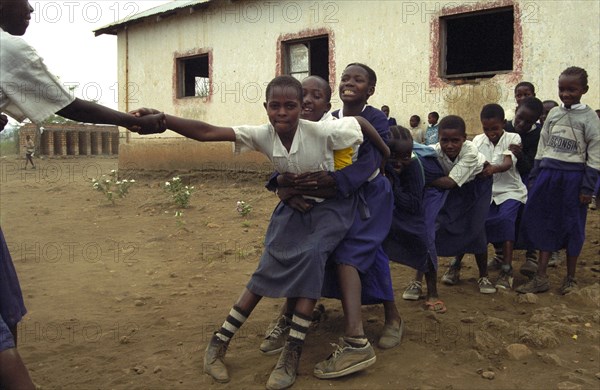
(292,265)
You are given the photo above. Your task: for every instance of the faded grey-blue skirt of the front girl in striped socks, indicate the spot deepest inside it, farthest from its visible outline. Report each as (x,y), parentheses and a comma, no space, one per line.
(297,246)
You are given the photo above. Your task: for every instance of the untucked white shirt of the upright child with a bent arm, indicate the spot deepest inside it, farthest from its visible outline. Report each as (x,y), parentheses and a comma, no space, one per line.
(508,184)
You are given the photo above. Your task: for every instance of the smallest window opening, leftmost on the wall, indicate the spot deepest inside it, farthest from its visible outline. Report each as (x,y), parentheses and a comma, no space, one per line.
(193,77)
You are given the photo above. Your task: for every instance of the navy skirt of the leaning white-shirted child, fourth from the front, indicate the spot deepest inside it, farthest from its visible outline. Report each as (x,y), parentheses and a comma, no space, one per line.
(461,221)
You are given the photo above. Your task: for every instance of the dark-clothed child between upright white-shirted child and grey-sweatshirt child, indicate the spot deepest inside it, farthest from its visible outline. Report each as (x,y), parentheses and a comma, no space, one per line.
(525,126)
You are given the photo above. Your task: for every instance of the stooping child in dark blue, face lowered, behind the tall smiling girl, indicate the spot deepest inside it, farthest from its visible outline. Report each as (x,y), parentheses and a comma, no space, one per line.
(411,240)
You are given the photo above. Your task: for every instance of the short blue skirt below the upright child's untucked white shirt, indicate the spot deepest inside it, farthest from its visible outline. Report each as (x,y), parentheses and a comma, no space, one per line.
(500,225)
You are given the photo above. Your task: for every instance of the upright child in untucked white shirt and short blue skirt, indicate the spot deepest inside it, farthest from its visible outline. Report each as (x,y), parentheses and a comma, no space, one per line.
(508,190)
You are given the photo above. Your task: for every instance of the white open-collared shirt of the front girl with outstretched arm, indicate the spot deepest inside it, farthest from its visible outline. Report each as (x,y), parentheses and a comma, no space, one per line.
(312,147)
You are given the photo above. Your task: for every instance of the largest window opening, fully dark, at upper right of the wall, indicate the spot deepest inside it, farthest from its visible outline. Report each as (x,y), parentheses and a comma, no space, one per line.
(477,44)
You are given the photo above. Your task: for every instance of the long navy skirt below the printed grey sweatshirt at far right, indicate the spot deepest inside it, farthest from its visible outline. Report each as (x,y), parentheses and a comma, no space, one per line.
(553,217)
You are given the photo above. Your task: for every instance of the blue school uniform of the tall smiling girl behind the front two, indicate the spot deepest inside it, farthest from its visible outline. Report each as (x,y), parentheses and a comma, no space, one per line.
(361,247)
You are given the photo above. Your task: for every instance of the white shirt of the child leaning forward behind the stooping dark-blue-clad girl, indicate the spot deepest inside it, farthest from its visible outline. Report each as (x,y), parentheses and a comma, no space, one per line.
(465,166)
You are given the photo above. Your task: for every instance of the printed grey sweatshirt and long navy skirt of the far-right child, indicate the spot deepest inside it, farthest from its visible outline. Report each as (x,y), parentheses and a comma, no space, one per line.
(566,165)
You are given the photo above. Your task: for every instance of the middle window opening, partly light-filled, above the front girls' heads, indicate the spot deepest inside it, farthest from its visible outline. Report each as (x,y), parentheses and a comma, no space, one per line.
(307,57)
